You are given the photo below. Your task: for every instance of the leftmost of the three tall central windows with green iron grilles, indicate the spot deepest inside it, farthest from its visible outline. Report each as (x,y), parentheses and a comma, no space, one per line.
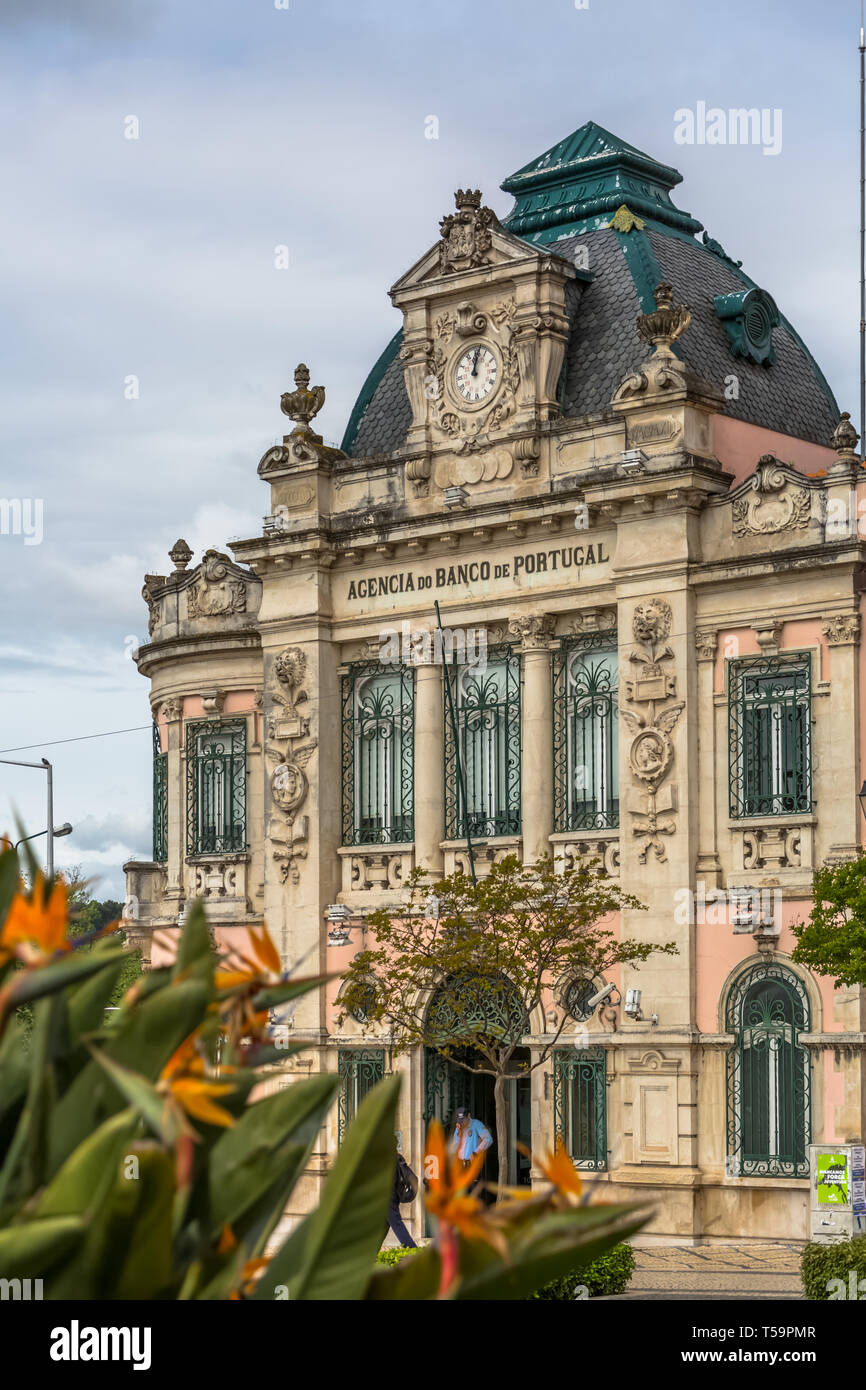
(379,754)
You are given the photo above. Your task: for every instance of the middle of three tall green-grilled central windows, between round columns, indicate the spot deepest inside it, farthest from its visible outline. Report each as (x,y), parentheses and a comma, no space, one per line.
(487,714)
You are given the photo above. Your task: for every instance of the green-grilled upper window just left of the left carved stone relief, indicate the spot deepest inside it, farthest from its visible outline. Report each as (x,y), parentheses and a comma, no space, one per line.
(216,787)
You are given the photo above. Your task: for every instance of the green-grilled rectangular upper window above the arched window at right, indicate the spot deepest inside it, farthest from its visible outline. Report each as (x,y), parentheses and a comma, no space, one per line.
(771,736)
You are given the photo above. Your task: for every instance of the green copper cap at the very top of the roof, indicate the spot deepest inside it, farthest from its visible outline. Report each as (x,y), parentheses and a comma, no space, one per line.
(582,183)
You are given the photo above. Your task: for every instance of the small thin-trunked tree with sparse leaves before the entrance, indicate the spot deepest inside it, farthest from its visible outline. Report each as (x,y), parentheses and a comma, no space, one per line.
(465,965)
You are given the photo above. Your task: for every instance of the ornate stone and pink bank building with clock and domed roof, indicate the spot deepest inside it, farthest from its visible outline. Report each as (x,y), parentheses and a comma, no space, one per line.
(646,518)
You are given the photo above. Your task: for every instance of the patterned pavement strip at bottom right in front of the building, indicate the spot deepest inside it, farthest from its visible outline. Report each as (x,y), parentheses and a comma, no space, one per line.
(761,1271)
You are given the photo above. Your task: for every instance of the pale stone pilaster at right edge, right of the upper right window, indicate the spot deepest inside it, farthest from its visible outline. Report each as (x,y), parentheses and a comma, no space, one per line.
(842,815)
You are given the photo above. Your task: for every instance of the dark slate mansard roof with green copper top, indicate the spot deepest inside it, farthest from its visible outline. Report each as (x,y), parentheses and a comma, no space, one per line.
(566,199)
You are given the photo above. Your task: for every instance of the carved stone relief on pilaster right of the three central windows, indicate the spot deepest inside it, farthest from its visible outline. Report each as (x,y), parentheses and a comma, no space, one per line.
(653,721)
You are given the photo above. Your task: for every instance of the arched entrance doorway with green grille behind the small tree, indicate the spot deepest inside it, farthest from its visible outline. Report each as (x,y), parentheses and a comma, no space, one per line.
(465,1008)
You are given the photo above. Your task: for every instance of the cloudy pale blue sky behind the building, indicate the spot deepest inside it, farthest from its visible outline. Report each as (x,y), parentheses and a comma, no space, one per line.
(307,127)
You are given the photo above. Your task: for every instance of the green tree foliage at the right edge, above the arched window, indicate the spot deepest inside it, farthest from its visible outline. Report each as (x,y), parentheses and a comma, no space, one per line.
(833,942)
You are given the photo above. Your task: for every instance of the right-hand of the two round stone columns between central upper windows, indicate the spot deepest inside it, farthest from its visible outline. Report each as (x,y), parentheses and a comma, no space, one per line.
(536,735)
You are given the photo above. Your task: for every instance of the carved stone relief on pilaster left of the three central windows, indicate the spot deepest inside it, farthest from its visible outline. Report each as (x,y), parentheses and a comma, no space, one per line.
(290,750)
